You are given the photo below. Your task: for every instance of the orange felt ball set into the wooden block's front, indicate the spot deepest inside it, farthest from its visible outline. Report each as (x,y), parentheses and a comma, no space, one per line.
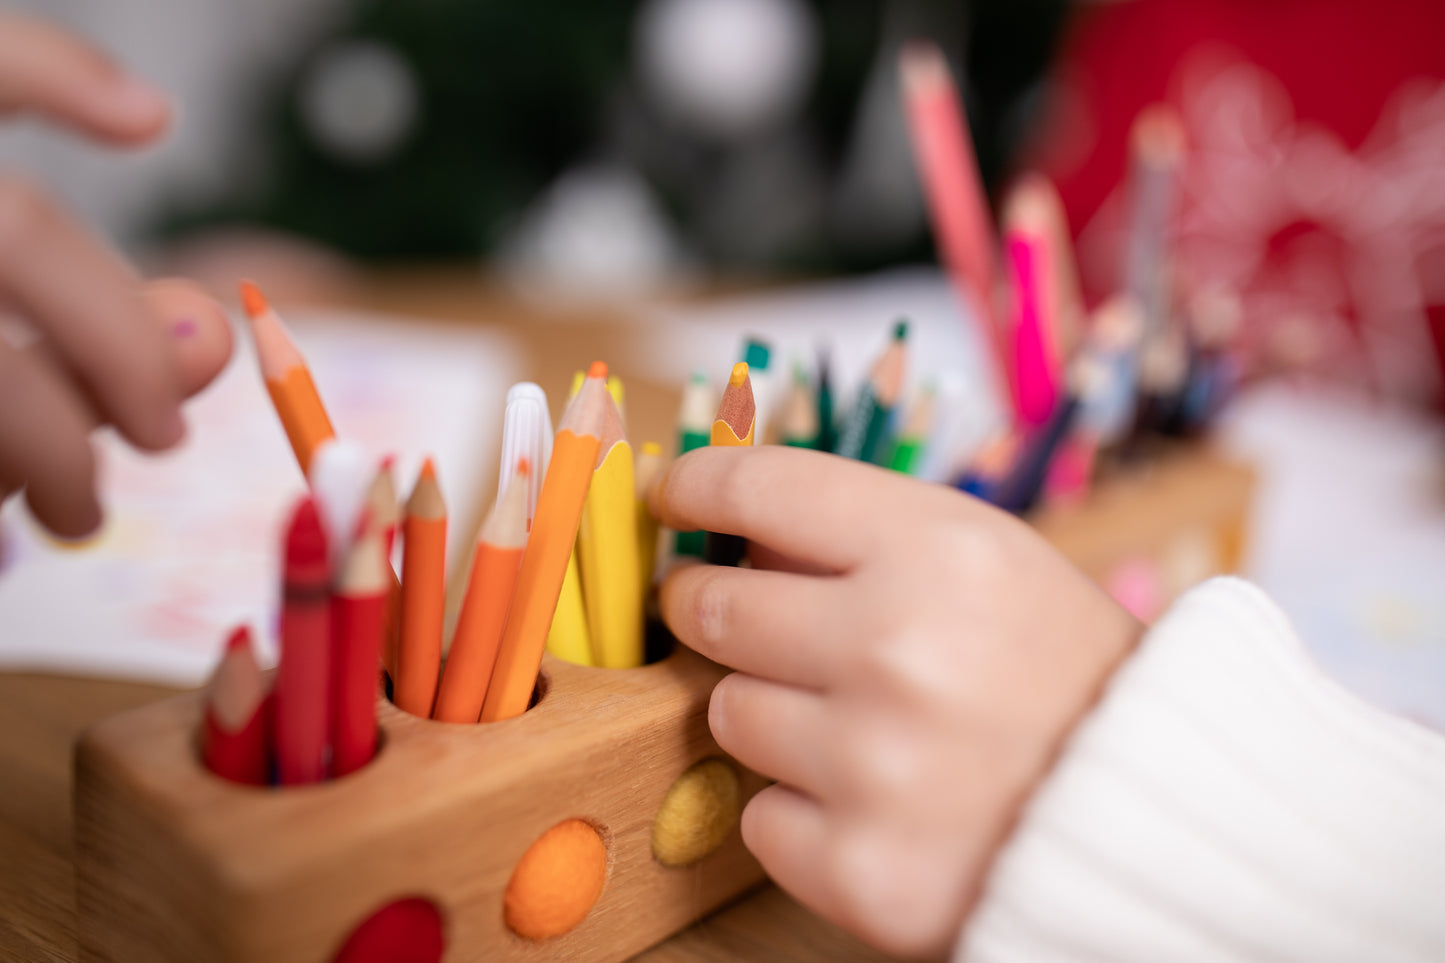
(557,881)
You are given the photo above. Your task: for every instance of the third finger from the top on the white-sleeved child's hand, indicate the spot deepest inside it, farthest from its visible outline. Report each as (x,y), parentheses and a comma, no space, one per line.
(777,731)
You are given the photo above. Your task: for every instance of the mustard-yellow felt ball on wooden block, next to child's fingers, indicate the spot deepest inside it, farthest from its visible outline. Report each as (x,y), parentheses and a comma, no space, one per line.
(697,815)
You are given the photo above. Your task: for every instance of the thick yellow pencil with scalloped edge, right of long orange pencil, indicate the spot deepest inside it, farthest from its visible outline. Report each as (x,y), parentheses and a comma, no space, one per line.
(608,552)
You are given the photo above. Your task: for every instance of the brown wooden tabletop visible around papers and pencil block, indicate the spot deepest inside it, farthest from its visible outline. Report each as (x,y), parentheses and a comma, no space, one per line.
(43,715)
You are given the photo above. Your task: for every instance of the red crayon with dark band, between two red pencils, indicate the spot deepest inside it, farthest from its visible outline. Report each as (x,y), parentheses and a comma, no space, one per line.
(304,679)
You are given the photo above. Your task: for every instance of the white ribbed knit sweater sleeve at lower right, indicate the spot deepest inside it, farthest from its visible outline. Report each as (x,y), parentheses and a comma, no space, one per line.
(1226,802)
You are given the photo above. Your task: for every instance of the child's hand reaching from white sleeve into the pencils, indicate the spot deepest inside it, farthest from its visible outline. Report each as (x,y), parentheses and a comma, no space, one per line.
(910,664)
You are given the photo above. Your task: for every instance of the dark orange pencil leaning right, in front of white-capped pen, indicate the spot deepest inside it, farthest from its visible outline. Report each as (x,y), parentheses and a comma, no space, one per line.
(485,607)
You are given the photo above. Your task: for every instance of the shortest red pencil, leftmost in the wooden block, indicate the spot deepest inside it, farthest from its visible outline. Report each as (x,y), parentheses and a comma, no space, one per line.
(236,740)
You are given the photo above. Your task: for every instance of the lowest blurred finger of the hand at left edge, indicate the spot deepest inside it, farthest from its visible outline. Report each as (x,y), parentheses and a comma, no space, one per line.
(46,446)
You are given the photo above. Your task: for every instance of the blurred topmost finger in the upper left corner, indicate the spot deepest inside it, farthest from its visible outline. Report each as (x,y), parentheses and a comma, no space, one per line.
(50,72)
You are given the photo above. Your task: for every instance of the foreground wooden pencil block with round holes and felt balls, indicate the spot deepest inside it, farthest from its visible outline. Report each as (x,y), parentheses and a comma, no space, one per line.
(176,864)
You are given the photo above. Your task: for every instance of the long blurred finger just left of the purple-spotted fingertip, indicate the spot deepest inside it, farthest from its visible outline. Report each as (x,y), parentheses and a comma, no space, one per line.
(85,300)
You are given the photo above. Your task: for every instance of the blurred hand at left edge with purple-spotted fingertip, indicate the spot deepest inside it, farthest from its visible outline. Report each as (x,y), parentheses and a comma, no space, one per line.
(106,349)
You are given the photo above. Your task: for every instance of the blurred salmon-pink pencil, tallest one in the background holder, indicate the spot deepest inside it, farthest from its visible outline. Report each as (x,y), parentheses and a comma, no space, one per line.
(957,205)
